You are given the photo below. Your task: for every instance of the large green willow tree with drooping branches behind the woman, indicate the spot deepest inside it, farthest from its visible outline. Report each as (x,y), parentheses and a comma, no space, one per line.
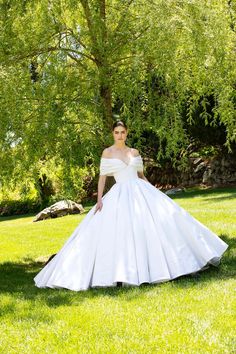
(68,66)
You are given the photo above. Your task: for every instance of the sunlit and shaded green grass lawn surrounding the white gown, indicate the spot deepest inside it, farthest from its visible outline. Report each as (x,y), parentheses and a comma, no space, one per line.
(186,315)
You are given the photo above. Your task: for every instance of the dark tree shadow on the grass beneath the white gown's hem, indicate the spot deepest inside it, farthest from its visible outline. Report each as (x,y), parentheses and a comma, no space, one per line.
(17,281)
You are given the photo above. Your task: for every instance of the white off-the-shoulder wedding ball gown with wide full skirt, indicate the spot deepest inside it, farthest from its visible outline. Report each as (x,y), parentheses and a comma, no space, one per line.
(140,235)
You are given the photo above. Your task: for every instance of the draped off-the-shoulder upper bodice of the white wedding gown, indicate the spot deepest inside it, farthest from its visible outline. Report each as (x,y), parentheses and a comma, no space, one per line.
(120,169)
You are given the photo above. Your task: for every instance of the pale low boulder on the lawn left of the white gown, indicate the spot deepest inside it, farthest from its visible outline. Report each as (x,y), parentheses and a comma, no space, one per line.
(62,208)
